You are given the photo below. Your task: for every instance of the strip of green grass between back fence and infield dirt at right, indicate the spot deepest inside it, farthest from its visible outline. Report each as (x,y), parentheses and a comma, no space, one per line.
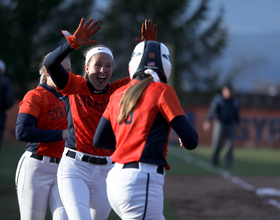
(249,162)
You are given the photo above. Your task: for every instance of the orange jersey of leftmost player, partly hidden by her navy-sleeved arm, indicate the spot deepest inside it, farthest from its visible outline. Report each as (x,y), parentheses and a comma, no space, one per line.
(51,115)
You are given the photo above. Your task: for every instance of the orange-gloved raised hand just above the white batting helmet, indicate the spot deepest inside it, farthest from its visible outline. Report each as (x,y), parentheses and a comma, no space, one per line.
(148,32)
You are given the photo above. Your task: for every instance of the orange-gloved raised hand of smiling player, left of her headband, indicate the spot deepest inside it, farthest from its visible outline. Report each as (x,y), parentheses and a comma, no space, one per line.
(82,35)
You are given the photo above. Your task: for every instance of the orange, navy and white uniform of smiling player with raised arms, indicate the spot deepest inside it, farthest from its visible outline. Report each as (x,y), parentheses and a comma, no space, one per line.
(83,168)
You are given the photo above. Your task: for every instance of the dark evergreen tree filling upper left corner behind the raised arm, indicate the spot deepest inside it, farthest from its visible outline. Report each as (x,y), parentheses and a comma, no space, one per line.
(30,29)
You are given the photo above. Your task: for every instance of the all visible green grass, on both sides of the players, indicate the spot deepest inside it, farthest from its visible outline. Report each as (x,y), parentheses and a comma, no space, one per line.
(262,162)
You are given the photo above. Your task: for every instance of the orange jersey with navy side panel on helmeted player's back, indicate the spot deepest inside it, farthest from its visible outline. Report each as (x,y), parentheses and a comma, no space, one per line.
(144,136)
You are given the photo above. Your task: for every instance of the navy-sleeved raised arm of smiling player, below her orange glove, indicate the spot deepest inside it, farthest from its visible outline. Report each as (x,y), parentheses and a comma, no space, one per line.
(53,65)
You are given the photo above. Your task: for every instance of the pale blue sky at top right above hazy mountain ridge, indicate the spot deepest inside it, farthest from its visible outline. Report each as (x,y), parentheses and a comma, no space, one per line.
(250,16)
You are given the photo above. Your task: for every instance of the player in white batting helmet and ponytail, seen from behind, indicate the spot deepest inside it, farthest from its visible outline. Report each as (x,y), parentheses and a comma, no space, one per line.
(136,124)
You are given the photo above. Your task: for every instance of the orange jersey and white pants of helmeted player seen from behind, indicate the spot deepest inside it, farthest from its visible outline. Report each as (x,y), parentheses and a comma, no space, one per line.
(141,142)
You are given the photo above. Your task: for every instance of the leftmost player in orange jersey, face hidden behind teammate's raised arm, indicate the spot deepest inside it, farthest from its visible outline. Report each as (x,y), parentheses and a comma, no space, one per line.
(42,123)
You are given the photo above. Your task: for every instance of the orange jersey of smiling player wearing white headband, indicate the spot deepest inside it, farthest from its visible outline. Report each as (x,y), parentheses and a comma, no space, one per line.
(86,109)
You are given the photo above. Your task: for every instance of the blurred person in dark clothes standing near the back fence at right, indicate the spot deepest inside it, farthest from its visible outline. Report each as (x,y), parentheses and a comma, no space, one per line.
(225,110)
